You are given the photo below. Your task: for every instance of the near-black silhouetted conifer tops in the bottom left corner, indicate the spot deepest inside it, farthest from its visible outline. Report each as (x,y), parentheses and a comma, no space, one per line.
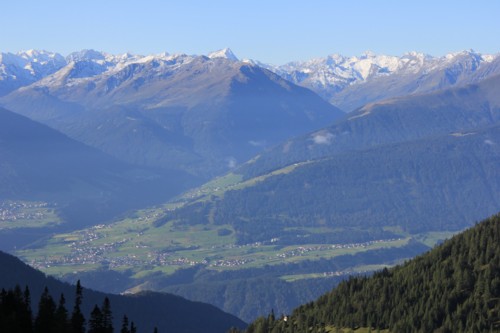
(16,314)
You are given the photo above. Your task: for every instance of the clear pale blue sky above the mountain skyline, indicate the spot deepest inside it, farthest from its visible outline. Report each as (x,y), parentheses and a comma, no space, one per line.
(273,31)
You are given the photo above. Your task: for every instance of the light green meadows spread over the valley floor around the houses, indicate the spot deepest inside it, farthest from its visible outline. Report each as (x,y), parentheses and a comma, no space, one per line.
(137,244)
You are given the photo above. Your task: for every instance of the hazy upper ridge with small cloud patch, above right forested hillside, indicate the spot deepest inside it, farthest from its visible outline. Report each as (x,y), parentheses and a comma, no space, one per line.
(396,120)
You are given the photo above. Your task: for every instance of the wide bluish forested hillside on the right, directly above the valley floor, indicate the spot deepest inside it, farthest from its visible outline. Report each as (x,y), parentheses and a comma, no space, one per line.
(445,182)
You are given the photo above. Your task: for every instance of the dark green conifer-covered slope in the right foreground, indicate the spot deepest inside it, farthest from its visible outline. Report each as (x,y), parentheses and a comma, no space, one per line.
(453,288)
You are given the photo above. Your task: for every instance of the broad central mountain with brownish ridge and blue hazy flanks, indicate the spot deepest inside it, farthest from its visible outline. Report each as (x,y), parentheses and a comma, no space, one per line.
(189,112)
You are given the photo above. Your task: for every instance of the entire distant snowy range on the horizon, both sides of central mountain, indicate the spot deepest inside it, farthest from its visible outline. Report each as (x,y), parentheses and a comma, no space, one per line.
(348,82)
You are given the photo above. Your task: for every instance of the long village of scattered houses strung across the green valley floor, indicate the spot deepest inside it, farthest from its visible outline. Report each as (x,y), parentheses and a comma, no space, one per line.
(97,247)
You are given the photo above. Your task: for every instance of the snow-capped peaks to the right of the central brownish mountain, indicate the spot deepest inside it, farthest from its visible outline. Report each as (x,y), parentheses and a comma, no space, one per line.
(351,82)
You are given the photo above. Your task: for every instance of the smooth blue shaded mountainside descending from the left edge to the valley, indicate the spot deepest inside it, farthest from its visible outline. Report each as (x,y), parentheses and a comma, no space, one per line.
(40,164)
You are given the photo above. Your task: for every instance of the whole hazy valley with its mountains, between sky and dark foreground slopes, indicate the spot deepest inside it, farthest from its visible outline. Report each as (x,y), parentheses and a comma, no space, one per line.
(245,185)
